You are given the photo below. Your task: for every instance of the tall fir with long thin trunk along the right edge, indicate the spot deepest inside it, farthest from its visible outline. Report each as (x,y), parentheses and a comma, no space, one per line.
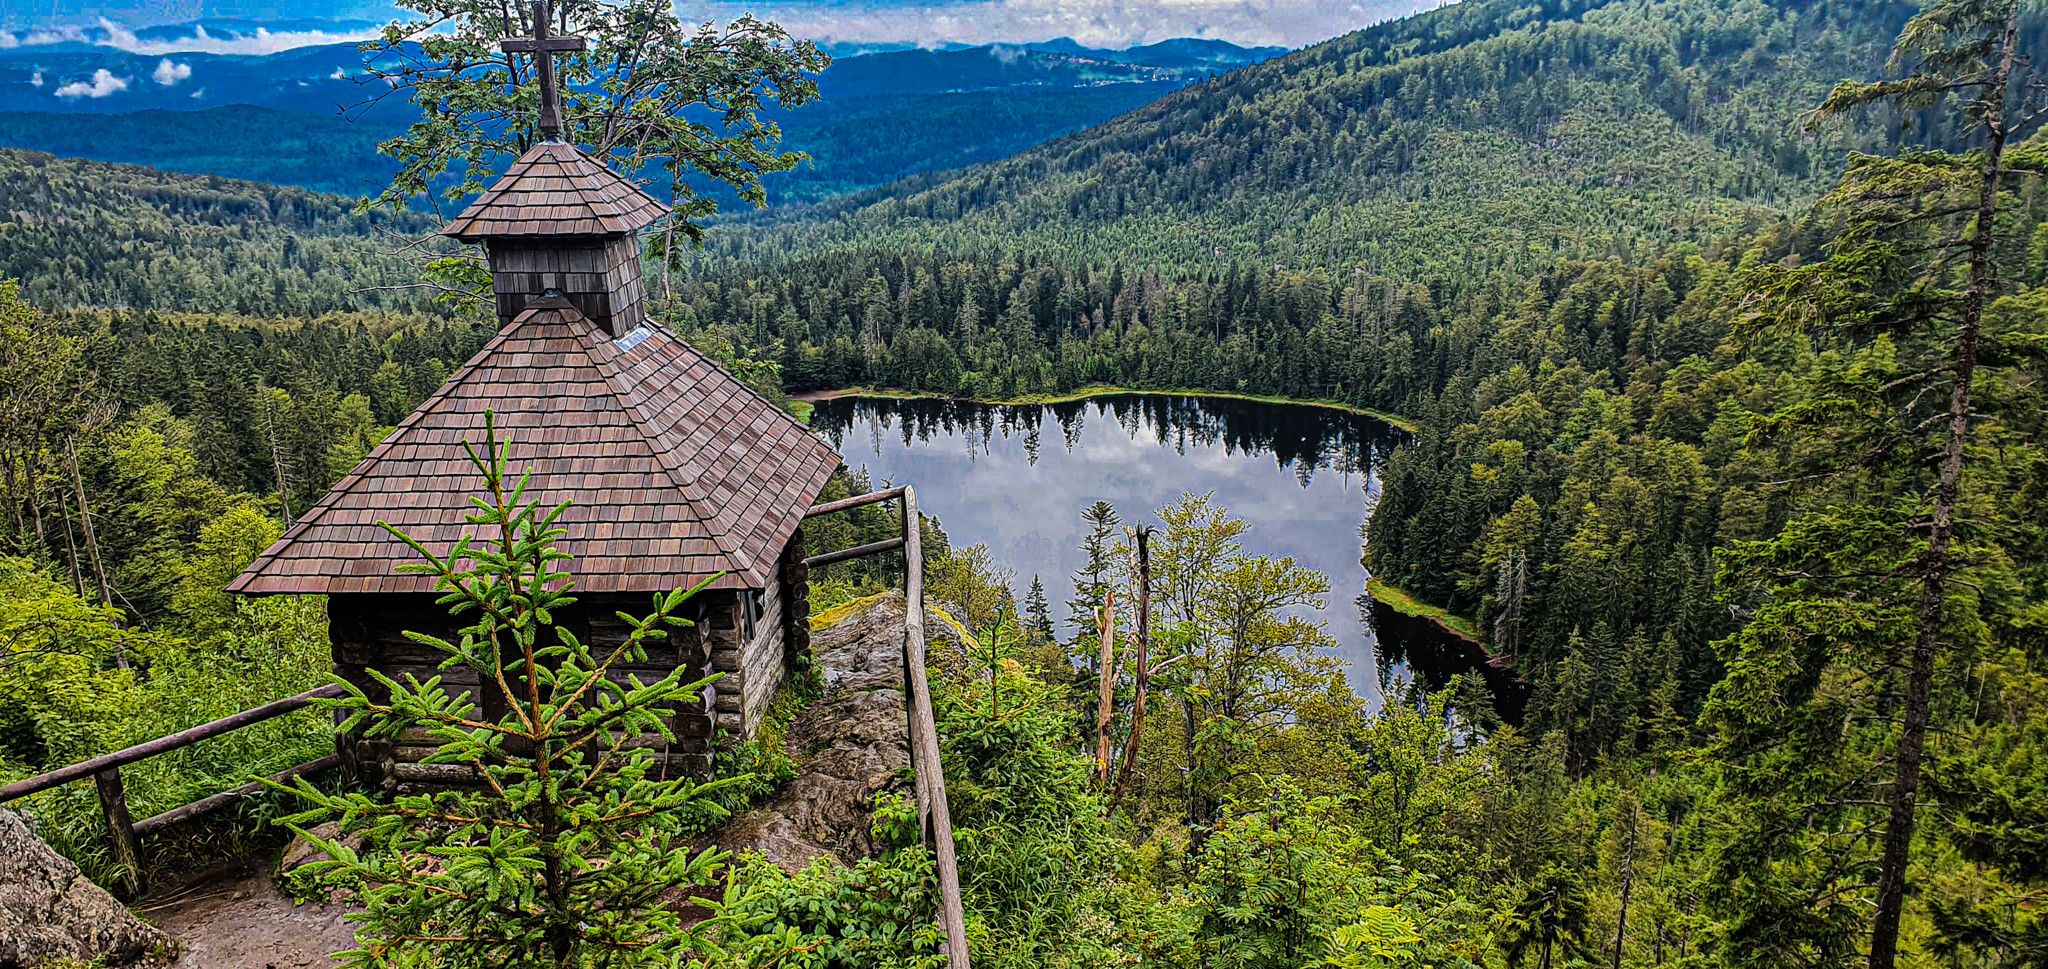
(1875,597)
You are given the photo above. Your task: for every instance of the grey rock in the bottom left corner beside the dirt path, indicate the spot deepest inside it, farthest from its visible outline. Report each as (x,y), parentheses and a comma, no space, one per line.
(50,913)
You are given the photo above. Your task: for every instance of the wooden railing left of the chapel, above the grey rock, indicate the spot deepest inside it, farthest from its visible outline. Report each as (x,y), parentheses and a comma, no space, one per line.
(105,773)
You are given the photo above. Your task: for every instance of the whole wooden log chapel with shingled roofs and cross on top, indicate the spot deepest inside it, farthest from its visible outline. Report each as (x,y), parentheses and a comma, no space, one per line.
(675,468)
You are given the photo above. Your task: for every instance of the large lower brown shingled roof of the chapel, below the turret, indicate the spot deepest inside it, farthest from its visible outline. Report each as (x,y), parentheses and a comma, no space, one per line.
(675,468)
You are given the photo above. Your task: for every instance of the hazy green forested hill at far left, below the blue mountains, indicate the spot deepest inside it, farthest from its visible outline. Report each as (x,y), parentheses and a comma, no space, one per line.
(136,239)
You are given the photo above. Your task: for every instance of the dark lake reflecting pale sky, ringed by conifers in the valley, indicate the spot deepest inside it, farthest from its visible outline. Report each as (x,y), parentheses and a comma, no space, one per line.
(1019,476)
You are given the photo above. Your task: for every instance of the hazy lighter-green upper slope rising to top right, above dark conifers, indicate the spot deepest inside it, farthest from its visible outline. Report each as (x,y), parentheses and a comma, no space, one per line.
(1445,146)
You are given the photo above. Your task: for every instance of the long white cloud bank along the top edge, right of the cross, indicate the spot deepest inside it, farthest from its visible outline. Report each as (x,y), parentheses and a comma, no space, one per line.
(1099,24)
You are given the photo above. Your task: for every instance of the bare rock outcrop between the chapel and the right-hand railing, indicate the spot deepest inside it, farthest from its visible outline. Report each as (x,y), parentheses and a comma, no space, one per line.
(849,747)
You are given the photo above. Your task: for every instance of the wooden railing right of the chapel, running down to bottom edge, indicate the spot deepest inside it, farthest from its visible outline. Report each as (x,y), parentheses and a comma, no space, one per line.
(933,814)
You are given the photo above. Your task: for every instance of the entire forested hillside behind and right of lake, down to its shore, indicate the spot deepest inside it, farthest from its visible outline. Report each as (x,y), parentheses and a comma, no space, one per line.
(1502,222)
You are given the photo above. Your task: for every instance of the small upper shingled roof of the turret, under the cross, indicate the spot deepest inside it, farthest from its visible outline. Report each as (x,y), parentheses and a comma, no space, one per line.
(556,192)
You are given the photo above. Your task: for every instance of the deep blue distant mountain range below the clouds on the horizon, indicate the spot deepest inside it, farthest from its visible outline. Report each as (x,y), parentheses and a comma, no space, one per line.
(884,116)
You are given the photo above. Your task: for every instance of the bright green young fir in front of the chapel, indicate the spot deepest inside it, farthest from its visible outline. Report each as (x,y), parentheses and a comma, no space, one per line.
(572,847)
